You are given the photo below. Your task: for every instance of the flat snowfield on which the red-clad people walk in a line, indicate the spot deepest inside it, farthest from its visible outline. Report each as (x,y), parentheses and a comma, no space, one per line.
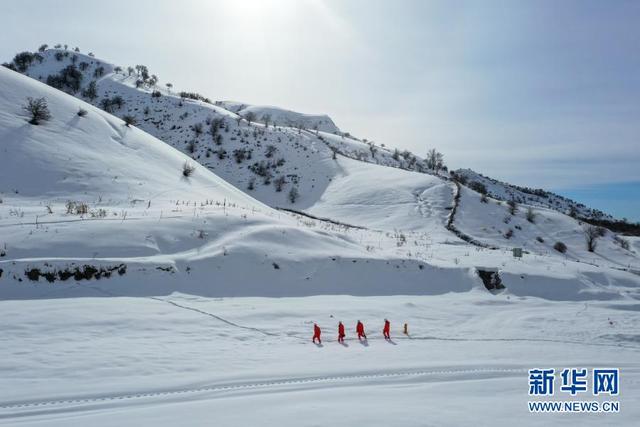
(189,360)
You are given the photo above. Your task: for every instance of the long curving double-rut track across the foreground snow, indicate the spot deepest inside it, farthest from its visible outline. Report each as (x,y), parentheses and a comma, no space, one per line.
(85,403)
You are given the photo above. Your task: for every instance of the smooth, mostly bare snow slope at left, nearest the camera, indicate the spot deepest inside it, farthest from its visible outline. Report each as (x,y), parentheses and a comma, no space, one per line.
(91,191)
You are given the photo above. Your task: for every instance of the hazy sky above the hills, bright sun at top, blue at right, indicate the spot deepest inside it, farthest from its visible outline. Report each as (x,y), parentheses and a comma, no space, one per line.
(538,93)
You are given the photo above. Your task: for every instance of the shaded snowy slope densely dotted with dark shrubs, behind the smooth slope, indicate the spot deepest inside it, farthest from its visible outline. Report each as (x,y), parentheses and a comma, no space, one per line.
(265,161)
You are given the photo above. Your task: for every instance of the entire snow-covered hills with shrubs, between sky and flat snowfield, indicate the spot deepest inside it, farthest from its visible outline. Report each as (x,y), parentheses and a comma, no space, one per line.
(343,198)
